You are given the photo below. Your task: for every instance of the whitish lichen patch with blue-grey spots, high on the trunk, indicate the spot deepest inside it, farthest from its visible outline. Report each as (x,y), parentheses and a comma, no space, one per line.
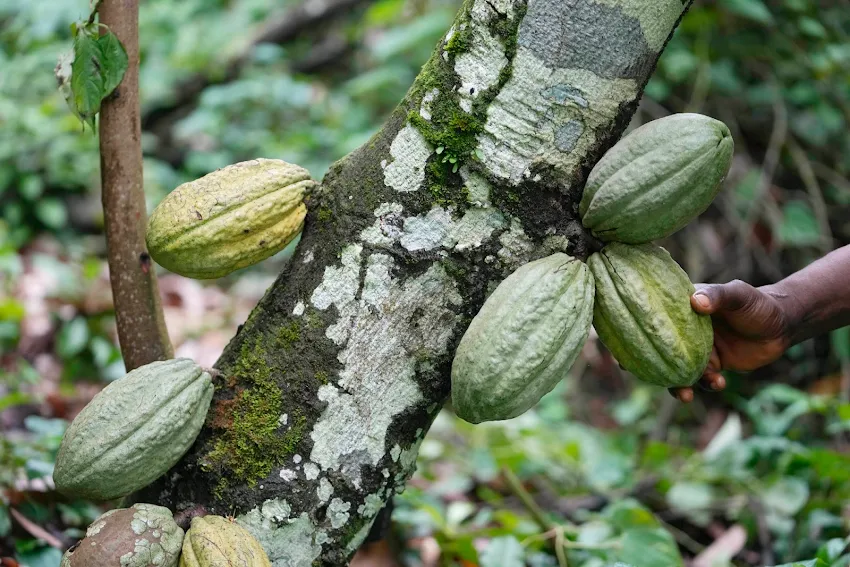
(548,117)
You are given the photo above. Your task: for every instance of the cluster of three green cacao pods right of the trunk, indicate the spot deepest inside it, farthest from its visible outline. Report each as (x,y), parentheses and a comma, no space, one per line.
(531,329)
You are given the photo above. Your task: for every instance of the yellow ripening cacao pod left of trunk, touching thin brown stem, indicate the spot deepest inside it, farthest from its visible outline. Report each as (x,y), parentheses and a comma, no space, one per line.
(229,219)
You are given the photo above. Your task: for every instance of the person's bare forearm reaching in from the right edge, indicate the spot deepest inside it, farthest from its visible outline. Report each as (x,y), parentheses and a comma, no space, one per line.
(817,298)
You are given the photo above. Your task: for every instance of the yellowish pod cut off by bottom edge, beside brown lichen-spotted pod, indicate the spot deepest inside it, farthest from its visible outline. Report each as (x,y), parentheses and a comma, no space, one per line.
(213,541)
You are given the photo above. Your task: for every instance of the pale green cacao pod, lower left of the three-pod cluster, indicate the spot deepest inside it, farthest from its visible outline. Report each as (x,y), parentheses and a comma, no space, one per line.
(523,340)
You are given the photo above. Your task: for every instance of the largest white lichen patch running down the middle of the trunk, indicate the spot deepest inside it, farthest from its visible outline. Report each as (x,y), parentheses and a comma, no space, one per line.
(374,389)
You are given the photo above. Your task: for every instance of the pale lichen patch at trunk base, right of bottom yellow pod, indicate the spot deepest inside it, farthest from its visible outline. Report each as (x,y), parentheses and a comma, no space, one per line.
(295,543)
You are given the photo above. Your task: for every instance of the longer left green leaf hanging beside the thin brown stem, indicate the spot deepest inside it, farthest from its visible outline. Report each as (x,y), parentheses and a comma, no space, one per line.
(87,81)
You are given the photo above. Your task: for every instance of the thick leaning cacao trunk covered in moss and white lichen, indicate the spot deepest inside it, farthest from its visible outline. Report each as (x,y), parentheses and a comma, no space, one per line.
(331,384)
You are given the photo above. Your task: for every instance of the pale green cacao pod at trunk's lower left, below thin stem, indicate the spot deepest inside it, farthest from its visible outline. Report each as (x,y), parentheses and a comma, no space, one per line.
(134,430)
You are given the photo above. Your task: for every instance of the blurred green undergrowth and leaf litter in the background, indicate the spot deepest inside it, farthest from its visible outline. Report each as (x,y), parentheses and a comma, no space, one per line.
(604,470)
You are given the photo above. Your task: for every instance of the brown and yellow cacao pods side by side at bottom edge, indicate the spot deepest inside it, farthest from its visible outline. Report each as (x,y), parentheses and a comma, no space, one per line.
(145,535)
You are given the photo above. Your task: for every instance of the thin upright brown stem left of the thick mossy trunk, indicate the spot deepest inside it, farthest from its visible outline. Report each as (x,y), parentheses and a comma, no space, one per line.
(138,309)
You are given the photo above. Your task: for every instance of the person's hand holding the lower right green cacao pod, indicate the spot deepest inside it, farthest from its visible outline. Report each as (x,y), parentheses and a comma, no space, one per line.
(751,329)
